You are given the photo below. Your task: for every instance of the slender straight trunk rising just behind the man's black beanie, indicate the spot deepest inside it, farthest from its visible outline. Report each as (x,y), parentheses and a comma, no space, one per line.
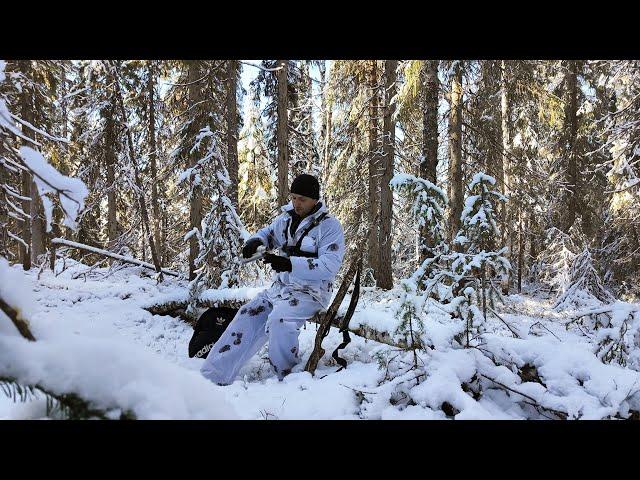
(282,133)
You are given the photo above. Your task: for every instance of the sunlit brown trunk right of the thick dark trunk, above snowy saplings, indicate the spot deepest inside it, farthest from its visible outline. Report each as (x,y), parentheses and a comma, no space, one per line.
(456,193)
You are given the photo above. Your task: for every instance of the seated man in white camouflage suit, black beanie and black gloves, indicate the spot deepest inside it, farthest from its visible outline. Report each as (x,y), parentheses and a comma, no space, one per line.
(312,246)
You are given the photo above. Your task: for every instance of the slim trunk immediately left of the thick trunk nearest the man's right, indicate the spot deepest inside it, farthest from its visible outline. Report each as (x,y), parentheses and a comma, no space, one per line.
(373,256)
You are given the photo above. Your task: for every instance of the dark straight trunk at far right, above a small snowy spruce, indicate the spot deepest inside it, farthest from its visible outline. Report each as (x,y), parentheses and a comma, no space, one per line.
(571,129)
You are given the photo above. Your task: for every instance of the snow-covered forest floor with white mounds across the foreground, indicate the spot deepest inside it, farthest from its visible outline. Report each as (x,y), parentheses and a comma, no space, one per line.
(94,337)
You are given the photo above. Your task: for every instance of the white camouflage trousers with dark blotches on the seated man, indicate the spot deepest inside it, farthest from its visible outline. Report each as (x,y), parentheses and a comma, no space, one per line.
(276,317)
